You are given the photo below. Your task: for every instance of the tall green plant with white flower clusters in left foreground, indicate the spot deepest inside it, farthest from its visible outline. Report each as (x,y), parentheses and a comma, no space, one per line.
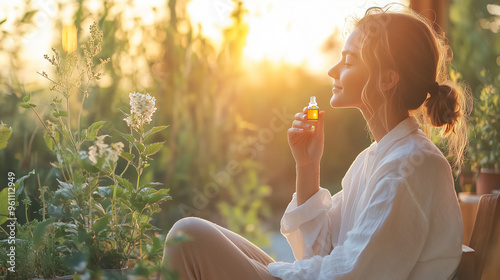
(104,218)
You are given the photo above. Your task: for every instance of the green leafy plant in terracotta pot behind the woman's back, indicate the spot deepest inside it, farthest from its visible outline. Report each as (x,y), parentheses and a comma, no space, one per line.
(485,140)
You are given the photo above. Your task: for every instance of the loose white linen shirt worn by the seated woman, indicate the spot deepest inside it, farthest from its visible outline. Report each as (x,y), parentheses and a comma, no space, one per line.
(397,217)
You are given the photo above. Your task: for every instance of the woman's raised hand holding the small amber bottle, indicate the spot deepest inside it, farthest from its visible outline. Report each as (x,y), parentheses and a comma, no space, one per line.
(305,142)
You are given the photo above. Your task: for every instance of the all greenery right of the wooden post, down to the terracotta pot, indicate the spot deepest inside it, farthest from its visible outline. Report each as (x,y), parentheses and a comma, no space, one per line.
(474,39)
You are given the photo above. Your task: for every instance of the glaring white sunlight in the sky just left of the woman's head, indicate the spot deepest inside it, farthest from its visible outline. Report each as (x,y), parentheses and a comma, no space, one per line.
(282,30)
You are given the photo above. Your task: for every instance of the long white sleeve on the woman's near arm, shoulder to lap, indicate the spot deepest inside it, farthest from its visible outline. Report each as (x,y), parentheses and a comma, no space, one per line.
(384,243)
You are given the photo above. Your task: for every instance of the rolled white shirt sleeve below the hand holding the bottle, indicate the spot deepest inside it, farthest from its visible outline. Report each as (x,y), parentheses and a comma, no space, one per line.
(309,228)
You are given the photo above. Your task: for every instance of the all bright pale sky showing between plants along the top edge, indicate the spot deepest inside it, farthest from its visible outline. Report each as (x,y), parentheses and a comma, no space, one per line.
(289,31)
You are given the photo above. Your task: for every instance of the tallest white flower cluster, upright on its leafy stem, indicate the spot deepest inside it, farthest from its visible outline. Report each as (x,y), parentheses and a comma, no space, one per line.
(142,107)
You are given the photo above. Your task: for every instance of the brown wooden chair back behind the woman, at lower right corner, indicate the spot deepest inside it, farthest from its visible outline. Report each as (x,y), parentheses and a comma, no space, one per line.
(485,234)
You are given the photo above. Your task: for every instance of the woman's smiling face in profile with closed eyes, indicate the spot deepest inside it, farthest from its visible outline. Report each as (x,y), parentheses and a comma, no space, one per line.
(350,75)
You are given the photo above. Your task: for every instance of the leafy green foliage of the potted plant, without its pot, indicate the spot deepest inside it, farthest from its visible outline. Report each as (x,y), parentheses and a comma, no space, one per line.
(484,150)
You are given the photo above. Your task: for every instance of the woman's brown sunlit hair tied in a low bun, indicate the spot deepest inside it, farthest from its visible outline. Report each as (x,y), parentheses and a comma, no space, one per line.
(405,43)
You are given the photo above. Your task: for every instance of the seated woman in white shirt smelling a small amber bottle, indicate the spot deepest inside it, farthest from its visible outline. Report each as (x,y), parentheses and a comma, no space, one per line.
(397,216)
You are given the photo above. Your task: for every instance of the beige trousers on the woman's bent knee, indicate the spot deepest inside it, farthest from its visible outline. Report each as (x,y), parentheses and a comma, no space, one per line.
(214,253)
